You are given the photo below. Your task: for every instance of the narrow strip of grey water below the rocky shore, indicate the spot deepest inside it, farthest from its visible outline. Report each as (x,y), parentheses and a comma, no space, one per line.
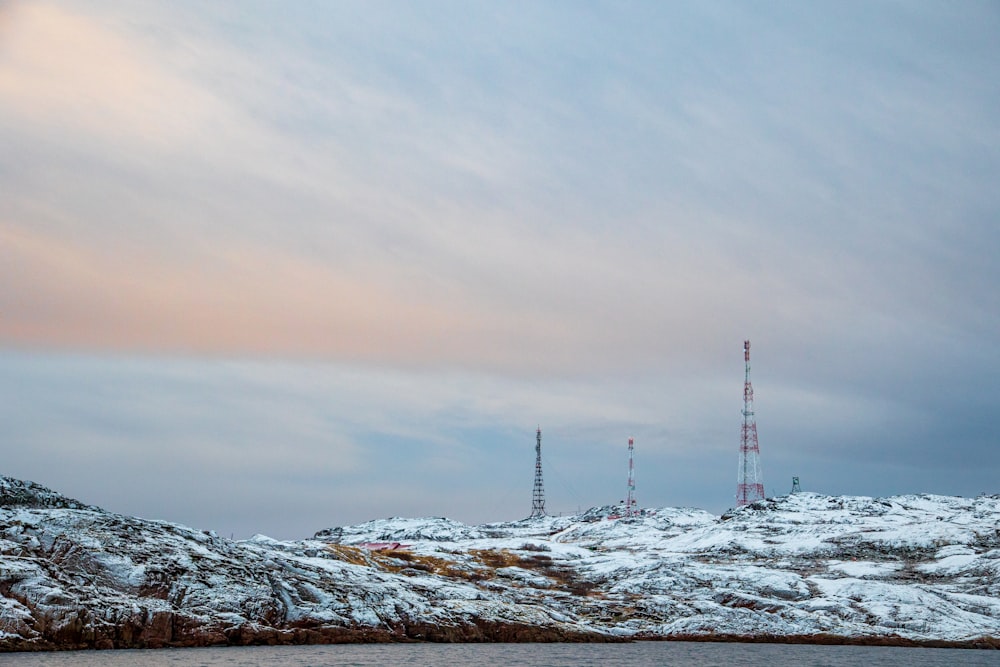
(639,654)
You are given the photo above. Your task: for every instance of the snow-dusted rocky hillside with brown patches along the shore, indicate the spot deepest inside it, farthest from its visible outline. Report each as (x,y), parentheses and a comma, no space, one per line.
(907,569)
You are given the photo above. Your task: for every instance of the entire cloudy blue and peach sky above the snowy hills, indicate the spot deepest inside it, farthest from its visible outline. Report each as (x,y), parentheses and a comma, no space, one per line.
(276,267)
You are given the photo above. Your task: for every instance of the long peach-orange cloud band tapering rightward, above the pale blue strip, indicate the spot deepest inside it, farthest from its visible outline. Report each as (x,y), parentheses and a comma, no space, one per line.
(242,301)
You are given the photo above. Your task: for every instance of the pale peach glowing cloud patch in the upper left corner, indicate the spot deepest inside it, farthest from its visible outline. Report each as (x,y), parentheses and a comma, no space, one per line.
(64,70)
